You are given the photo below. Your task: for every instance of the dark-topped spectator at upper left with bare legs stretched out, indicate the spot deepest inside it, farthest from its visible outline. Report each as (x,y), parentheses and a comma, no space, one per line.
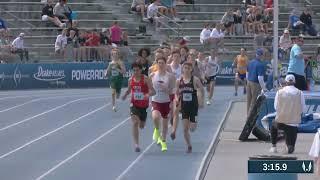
(47,15)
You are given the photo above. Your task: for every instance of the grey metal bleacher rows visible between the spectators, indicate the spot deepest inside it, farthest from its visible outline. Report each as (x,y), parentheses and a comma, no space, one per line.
(24,15)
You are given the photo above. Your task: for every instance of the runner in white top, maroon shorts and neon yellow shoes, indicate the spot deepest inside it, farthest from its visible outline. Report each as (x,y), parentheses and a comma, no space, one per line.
(163,83)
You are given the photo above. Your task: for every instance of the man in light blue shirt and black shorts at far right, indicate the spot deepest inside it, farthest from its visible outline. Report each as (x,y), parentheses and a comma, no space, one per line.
(297,65)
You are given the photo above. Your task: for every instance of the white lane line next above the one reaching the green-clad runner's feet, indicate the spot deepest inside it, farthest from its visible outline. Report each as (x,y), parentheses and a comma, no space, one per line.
(46,112)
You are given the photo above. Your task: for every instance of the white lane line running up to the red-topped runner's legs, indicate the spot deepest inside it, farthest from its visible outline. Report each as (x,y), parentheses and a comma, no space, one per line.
(82,149)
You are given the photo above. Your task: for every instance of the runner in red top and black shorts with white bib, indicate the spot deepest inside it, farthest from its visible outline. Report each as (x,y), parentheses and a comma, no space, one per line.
(141,89)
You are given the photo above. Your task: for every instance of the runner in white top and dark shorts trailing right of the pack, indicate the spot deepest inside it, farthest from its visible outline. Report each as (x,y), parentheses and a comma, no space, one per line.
(211,72)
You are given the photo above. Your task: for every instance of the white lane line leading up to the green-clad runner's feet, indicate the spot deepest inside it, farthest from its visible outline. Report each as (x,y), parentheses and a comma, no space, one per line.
(54,131)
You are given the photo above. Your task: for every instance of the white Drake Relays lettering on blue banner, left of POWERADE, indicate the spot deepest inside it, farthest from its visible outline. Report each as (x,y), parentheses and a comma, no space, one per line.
(49,74)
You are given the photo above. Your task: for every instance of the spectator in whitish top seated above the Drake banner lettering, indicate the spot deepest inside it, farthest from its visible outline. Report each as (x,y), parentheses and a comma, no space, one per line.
(61,44)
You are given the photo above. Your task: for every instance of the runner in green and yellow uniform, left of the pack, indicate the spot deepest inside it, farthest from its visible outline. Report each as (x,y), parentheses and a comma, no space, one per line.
(115,71)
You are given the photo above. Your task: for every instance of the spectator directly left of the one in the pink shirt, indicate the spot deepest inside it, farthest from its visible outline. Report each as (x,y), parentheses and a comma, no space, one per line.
(105,42)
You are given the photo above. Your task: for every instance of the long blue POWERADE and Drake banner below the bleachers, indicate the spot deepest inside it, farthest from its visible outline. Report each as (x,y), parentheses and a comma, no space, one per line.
(78,75)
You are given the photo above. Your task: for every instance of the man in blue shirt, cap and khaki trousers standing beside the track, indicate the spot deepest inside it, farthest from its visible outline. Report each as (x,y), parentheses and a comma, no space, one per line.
(255,79)
